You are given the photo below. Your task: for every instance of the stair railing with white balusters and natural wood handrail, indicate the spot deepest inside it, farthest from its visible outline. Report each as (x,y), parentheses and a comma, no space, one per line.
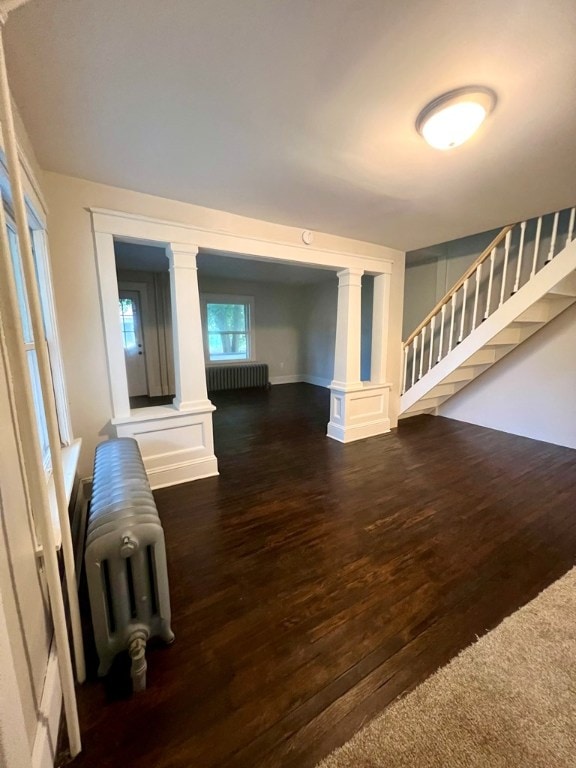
(511,260)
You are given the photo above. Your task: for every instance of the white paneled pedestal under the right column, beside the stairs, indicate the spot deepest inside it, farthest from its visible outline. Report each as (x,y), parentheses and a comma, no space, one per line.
(358,412)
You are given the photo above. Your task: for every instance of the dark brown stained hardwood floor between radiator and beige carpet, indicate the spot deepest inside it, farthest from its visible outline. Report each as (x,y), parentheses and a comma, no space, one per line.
(312,582)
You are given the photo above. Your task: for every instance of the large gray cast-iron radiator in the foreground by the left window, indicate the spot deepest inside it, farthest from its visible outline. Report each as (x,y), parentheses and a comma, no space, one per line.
(125,559)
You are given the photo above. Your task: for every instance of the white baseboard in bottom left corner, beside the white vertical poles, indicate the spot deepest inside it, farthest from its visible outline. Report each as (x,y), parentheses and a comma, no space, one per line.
(44,751)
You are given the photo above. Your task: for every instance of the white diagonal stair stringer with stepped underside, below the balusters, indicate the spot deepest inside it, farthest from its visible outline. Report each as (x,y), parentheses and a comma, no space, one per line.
(502,322)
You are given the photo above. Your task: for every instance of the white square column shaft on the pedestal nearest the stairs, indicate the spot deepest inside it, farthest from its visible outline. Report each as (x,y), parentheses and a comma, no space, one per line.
(348,329)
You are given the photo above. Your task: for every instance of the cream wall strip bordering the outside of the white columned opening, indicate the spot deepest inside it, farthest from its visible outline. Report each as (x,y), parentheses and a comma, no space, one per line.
(76,285)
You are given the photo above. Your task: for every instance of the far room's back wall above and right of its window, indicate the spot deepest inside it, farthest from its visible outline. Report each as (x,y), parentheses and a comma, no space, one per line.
(278,321)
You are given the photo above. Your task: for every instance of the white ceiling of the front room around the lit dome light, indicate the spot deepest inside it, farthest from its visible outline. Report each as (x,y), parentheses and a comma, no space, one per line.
(302,112)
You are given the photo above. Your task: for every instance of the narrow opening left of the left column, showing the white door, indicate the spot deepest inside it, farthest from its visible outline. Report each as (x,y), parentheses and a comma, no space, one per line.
(146,320)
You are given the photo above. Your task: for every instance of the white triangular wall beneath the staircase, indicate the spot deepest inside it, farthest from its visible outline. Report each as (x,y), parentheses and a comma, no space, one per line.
(530,392)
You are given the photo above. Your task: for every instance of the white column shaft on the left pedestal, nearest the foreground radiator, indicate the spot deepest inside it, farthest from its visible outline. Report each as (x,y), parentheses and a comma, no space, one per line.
(189,365)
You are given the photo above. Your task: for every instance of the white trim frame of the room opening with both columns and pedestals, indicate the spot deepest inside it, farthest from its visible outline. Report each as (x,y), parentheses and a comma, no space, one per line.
(177,444)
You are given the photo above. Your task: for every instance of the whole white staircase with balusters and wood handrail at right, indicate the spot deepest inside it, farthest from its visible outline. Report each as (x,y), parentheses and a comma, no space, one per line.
(524,279)
